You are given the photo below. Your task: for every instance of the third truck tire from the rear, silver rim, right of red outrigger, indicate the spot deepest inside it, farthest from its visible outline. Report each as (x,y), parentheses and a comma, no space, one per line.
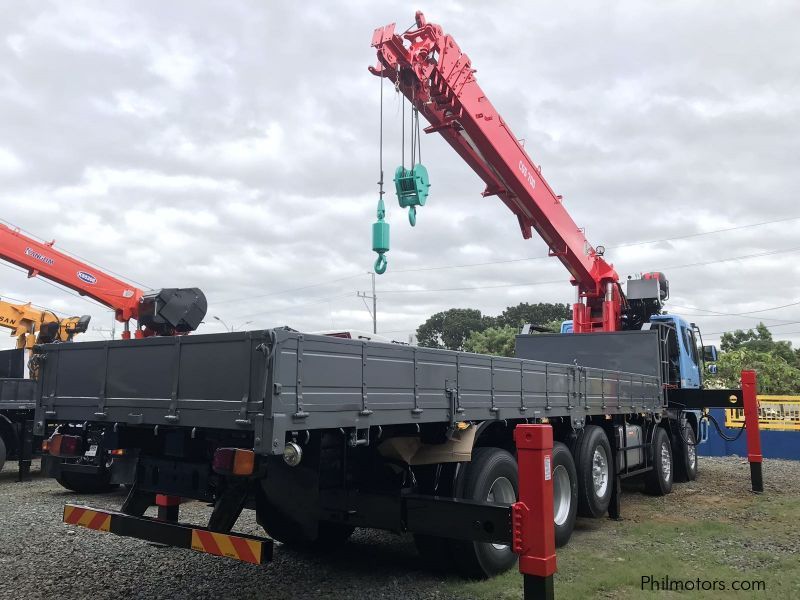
(595,468)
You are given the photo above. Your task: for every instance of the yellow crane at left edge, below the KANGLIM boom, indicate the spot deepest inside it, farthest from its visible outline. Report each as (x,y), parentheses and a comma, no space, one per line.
(39,326)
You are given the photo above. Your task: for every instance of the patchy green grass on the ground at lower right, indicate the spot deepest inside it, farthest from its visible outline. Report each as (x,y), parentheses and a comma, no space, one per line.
(732,537)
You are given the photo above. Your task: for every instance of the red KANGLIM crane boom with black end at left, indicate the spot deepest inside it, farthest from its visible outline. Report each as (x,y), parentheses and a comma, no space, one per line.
(162,312)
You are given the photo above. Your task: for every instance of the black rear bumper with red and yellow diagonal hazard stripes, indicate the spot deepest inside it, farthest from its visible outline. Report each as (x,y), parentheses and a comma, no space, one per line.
(246,548)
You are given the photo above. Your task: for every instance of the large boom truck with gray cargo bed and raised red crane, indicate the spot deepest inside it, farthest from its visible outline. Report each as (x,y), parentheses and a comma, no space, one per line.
(320,434)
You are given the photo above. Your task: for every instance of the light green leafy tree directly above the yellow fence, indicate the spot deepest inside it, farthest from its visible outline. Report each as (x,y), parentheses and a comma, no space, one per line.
(775,375)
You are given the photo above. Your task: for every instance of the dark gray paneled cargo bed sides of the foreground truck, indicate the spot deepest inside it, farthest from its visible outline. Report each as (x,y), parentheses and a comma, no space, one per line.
(273,381)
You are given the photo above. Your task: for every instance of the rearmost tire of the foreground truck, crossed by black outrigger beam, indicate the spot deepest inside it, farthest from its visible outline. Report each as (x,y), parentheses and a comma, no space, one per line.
(491,475)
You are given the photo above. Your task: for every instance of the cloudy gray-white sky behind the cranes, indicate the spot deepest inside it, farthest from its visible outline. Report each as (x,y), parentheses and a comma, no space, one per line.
(235,147)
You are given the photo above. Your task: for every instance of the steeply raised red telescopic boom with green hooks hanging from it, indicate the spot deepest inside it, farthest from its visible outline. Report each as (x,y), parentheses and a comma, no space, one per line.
(438,79)
